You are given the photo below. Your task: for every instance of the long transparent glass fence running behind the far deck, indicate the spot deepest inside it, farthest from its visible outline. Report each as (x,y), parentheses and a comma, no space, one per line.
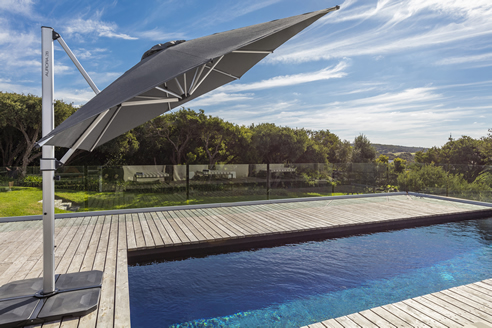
(95,188)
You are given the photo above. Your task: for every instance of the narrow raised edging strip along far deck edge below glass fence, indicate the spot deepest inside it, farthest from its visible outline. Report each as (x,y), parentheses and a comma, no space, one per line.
(234,204)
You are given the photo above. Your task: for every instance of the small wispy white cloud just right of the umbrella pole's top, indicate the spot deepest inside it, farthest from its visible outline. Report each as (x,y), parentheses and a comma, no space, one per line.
(96,26)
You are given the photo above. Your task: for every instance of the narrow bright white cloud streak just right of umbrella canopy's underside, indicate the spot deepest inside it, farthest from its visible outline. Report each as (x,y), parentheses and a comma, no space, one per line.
(287,80)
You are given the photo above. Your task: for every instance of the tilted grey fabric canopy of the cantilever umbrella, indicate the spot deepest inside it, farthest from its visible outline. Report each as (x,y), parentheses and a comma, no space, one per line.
(170,75)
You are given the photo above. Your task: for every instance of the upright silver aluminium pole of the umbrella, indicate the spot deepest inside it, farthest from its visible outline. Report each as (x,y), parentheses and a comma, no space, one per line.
(48,162)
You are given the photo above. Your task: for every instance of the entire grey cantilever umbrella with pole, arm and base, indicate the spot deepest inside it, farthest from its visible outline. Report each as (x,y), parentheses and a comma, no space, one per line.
(168,76)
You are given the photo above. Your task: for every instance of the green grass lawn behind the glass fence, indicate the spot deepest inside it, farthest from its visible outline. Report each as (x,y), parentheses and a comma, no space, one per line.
(25,201)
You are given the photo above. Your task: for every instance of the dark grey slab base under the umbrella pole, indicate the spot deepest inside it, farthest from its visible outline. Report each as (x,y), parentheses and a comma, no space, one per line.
(22,303)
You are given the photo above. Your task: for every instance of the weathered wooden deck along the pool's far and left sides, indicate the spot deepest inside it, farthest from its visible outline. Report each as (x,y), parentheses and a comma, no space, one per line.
(106,242)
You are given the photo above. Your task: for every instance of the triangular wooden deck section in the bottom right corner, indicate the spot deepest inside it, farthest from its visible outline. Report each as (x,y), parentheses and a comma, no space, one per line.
(462,306)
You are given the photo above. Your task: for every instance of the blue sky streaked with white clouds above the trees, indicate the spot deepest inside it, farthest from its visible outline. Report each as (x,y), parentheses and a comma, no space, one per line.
(406,72)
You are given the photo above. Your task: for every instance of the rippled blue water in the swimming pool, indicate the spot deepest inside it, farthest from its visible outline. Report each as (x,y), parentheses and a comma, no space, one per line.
(295,285)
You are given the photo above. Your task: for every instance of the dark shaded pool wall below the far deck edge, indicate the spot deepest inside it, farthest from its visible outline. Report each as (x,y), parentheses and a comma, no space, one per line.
(203,249)
